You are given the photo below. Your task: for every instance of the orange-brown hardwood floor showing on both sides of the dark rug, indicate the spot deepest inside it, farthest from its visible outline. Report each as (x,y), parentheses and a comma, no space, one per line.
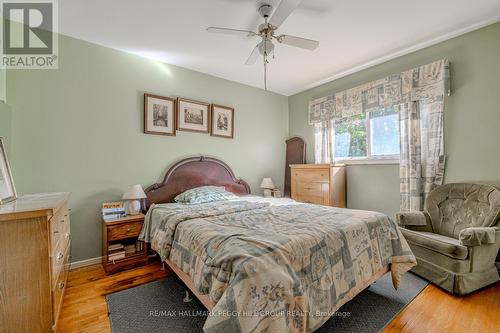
(433,310)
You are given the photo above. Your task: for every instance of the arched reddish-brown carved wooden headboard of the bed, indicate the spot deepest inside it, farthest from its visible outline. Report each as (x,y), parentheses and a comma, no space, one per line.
(194,172)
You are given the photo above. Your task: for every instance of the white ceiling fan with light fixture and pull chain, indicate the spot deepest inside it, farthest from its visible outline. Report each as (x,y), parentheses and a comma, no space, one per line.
(267,32)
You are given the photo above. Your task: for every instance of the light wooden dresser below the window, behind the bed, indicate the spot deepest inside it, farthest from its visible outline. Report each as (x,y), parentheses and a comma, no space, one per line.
(321,184)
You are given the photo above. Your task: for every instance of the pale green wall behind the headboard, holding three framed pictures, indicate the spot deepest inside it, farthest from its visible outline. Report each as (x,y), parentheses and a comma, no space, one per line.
(80,129)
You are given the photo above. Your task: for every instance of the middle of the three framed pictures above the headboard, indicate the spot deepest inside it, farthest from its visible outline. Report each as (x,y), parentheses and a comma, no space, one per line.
(193,116)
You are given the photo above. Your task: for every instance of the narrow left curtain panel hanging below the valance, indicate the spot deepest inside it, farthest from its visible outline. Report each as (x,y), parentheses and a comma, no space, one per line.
(324,136)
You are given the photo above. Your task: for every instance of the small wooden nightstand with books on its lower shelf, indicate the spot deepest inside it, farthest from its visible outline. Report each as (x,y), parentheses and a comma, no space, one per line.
(120,246)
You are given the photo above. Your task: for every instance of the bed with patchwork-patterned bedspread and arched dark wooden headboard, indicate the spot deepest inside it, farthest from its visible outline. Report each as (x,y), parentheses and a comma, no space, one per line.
(265,265)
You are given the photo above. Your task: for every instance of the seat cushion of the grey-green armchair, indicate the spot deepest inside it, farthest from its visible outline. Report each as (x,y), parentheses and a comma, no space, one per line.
(448,246)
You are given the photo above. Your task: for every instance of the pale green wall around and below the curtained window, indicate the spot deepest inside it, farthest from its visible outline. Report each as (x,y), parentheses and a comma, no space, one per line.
(472,117)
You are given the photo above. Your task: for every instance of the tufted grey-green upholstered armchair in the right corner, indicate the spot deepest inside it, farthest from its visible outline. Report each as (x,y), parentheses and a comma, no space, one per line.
(457,236)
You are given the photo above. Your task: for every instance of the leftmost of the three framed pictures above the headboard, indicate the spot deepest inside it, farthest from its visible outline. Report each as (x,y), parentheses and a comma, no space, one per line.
(159,115)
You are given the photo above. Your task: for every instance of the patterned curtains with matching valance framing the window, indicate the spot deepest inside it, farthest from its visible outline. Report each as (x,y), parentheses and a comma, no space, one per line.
(418,93)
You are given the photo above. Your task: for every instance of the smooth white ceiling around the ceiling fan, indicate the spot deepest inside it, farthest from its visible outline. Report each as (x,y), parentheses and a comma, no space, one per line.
(353,33)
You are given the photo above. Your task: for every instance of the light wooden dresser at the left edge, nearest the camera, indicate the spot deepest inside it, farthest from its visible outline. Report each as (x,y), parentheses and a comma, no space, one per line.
(34,261)
